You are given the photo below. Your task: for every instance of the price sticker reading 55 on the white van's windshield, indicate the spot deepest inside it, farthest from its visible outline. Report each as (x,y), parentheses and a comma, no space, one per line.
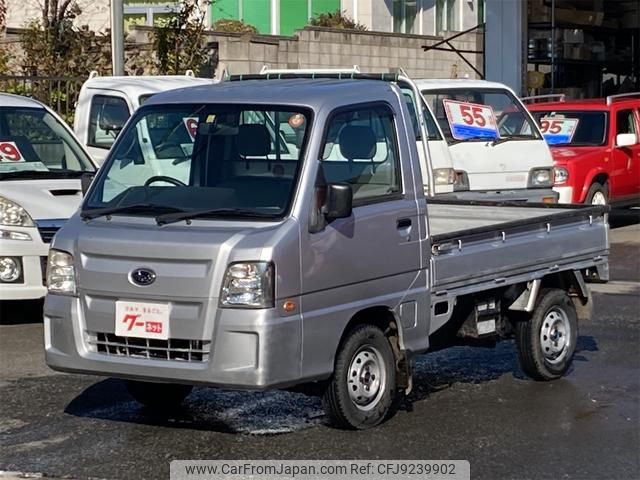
(470,120)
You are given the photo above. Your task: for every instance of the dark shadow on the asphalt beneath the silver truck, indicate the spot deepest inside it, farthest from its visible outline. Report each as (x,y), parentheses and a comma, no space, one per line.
(279,412)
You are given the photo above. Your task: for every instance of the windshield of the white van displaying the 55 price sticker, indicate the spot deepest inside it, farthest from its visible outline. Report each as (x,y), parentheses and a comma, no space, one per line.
(474,115)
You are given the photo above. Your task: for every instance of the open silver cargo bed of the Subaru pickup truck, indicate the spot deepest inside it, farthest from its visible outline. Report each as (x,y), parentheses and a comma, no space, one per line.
(477,246)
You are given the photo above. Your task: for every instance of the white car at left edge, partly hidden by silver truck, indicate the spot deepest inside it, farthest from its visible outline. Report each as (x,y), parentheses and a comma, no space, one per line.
(41,163)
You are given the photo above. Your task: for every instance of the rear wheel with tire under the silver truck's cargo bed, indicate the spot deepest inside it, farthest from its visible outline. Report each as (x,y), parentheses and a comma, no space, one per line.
(546,341)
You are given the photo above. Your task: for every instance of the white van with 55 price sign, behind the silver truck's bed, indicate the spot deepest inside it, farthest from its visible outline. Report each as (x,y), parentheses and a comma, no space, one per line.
(496,147)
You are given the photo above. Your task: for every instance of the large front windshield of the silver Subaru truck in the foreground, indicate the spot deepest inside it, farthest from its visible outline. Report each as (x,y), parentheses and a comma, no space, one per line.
(205,157)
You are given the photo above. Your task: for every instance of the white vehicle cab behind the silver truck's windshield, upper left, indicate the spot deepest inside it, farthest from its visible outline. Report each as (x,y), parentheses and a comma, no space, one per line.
(106,103)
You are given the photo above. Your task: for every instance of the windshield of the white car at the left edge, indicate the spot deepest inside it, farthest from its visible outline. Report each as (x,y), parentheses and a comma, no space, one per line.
(34,144)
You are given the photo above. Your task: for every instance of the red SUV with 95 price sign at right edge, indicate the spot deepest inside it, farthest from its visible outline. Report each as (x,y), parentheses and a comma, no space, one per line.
(595,146)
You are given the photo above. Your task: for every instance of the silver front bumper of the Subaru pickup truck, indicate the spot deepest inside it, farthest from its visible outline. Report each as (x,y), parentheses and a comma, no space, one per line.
(250,349)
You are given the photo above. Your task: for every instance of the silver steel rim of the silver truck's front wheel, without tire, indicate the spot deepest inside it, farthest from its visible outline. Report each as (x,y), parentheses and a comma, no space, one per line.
(366,378)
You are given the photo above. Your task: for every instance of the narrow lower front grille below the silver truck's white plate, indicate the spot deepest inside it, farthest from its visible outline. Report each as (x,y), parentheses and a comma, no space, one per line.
(172,349)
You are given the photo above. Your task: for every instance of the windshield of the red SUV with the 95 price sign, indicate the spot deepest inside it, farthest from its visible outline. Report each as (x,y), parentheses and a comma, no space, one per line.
(590,129)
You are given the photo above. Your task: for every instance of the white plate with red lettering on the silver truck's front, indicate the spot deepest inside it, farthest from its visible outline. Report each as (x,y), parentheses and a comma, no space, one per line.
(142,320)
